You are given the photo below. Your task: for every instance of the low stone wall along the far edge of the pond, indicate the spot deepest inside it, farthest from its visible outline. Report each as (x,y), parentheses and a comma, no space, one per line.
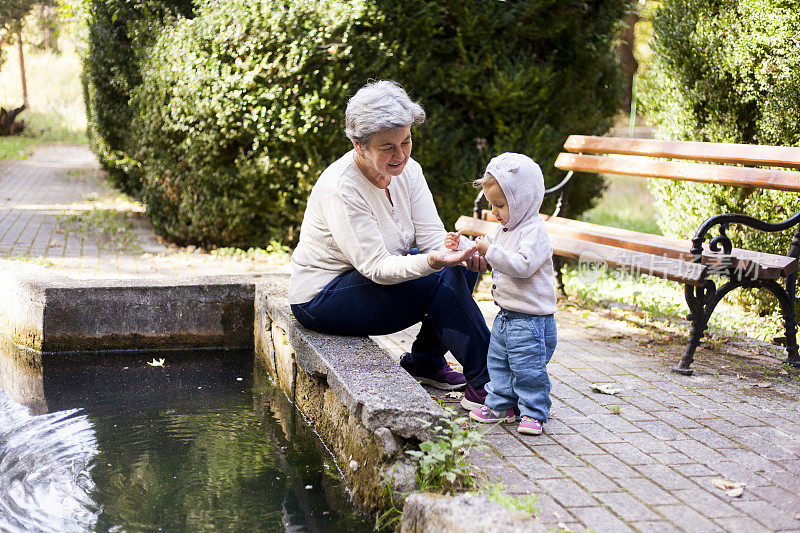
(51,313)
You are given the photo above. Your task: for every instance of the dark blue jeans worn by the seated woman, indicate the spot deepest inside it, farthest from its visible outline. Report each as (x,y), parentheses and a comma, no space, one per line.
(353,305)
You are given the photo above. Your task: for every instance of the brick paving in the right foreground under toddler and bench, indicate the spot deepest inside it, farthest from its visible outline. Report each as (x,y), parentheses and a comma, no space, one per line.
(643,460)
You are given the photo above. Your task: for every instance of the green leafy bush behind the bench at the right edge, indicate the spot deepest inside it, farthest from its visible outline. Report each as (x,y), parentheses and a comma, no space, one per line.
(726,72)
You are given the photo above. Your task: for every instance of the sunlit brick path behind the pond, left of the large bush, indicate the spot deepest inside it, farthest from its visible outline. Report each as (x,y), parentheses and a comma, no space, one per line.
(38,194)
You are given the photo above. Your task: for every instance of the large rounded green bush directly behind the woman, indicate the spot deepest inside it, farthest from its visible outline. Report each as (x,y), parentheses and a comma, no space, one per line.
(239,109)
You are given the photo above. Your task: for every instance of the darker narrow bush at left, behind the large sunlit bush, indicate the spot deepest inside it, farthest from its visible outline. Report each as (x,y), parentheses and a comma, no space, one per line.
(119,33)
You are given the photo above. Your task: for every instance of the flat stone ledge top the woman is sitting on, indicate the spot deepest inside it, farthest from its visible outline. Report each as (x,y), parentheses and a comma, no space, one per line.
(364,377)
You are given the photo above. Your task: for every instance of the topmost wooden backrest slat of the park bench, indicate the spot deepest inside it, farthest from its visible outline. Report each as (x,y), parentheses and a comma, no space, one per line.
(744,154)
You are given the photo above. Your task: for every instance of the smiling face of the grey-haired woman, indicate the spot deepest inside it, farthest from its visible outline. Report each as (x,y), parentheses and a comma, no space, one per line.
(385,155)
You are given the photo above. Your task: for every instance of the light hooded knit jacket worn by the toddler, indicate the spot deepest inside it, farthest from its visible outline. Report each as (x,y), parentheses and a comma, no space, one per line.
(520,253)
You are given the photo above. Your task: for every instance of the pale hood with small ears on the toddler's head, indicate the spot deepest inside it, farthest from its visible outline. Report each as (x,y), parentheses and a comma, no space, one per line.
(522,182)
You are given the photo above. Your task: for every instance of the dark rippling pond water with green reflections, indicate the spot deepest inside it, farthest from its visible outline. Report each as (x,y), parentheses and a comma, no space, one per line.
(203,442)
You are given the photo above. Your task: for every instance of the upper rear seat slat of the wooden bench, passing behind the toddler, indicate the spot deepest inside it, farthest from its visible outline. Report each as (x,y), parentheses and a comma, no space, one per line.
(754,264)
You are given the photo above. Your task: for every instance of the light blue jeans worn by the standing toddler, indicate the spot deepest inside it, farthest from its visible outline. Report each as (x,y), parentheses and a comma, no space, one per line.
(520,348)
